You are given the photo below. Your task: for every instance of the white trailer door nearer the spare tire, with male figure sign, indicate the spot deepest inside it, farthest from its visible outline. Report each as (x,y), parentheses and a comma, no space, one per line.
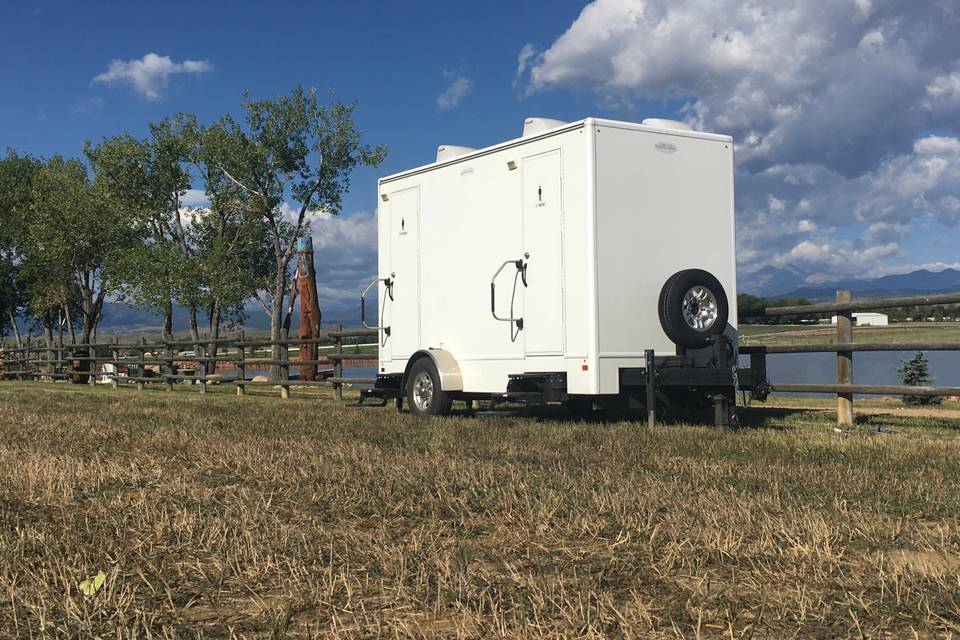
(543,241)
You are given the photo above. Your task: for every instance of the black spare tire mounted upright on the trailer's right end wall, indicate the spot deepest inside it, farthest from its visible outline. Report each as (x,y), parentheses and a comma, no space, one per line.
(671,308)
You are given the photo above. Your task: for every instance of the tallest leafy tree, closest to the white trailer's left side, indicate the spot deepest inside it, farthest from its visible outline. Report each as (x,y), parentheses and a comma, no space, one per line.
(269,156)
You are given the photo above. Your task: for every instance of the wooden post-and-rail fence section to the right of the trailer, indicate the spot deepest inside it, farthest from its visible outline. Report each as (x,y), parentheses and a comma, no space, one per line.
(845,347)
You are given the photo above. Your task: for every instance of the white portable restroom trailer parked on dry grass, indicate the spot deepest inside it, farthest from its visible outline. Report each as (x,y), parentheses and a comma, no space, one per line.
(590,262)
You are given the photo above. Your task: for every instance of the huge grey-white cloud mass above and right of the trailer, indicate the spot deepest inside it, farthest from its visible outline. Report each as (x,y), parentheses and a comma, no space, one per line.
(830,102)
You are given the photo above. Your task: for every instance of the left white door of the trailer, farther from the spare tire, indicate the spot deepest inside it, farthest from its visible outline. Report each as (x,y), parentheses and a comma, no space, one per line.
(402,310)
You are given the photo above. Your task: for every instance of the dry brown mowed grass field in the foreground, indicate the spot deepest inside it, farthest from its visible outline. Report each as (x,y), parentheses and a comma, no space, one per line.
(218,516)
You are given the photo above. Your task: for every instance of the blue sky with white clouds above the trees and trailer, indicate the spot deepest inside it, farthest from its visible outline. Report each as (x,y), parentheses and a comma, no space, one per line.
(844,111)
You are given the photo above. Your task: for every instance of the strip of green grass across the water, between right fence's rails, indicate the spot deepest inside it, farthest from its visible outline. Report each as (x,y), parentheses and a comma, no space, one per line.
(823,334)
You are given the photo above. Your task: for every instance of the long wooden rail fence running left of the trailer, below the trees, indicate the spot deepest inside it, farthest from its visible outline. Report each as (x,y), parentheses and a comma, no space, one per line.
(169,362)
